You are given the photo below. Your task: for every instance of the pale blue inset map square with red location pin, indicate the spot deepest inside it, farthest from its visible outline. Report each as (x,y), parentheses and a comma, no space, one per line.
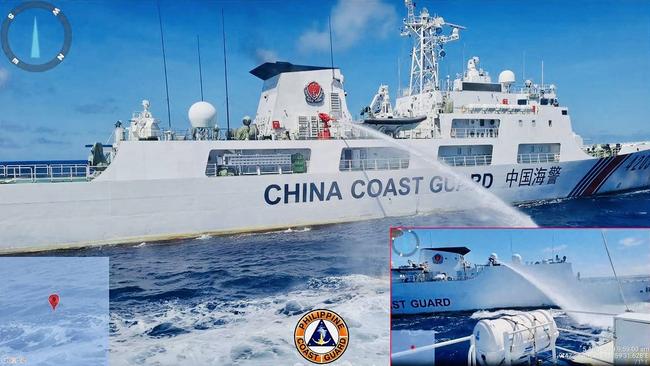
(35,329)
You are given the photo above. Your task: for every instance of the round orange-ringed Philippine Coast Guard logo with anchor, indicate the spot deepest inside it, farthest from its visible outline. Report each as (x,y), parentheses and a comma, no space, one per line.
(321,336)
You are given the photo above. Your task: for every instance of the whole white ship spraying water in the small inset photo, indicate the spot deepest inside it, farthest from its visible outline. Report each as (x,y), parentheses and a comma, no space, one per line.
(438,280)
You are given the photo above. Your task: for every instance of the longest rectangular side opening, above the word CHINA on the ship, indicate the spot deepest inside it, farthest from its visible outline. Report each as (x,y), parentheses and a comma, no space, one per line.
(257,162)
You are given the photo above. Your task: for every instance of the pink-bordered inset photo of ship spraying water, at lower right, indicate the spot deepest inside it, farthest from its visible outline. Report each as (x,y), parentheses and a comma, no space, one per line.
(502,296)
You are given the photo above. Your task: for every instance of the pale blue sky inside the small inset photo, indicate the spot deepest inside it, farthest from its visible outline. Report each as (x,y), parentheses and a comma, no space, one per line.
(584,248)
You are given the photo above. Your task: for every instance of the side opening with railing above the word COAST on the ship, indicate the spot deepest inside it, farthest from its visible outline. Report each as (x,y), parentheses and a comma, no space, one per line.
(373,158)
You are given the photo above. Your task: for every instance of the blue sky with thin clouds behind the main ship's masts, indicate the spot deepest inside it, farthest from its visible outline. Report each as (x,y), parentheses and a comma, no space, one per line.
(596,52)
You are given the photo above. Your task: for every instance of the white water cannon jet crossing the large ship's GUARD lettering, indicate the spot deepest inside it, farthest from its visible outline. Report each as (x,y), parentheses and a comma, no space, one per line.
(481,196)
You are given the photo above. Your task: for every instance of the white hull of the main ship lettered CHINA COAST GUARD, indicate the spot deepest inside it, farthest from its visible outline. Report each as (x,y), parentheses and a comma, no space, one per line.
(43,216)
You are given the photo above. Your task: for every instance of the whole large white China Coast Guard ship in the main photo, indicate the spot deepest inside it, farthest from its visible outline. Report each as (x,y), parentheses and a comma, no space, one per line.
(304,161)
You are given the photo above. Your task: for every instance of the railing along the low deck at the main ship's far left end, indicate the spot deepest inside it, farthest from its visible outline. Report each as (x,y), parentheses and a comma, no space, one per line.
(48,173)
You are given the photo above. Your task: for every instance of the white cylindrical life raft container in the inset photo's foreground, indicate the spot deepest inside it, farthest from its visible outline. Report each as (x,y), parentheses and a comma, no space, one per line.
(528,333)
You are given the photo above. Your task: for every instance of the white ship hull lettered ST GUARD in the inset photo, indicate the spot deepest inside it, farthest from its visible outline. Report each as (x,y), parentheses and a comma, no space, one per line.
(488,290)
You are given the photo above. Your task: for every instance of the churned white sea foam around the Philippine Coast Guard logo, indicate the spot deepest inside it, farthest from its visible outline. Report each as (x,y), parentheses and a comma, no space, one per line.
(258,331)
